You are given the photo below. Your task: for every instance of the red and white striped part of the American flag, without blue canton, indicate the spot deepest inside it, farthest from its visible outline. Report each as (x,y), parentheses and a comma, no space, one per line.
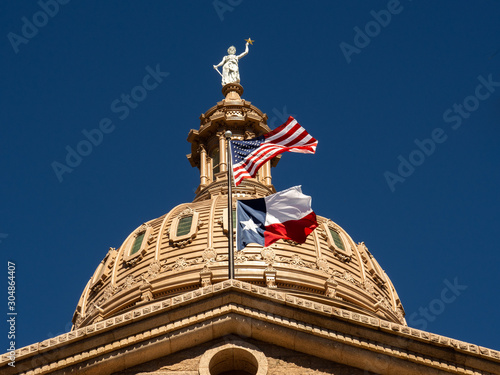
(288,137)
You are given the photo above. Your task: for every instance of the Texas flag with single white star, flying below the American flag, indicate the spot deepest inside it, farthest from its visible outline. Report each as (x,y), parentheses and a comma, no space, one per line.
(286,214)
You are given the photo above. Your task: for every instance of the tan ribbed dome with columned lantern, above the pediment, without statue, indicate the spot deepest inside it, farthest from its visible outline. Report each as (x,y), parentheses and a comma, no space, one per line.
(187,248)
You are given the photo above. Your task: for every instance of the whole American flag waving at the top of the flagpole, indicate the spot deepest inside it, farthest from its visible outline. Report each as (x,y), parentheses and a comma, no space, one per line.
(248,156)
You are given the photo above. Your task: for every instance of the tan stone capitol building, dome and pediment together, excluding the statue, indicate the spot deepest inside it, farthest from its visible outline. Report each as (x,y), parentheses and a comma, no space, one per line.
(171,300)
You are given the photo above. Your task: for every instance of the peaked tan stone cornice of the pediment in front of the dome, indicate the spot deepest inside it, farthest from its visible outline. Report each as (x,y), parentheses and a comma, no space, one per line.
(250,312)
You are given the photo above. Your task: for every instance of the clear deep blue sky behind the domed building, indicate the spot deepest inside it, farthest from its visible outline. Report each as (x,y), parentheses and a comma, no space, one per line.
(371,80)
